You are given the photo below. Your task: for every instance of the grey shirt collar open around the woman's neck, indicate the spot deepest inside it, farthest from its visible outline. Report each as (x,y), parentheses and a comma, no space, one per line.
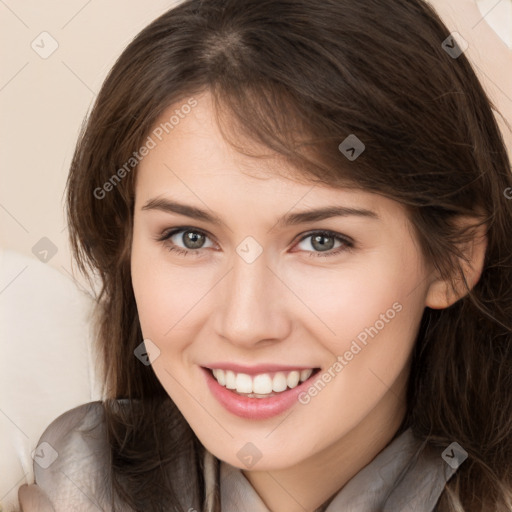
(407,475)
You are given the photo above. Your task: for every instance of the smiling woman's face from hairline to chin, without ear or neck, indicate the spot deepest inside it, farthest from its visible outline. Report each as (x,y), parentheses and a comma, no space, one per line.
(261,287)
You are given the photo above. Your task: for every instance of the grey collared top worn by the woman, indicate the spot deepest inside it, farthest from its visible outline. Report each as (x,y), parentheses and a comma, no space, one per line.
(72,472)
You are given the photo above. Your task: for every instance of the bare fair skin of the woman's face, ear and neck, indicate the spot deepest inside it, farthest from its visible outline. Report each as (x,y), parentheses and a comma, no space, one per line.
(284,307)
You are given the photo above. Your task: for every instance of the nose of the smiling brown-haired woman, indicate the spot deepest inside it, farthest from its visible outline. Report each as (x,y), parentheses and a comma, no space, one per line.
(252,304)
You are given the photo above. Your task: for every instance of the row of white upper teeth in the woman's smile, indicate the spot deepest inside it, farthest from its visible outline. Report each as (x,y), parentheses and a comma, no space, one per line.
(261,384)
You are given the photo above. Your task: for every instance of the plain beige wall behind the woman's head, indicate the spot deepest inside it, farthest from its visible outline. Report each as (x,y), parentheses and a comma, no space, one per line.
(43,100)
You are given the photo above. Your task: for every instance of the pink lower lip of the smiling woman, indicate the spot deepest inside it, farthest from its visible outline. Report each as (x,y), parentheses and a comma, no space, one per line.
(254,408)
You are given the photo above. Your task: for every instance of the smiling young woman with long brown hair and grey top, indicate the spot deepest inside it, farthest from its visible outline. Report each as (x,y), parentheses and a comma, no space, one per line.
(299,213)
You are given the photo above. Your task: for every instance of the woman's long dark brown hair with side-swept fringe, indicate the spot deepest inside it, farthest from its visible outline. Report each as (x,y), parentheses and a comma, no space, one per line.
(299,76)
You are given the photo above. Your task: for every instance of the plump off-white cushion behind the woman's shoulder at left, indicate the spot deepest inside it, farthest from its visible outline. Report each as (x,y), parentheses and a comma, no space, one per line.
(46,363)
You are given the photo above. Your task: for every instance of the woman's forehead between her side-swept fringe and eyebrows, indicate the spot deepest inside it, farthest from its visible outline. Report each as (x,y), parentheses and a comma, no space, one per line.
(191,159)
